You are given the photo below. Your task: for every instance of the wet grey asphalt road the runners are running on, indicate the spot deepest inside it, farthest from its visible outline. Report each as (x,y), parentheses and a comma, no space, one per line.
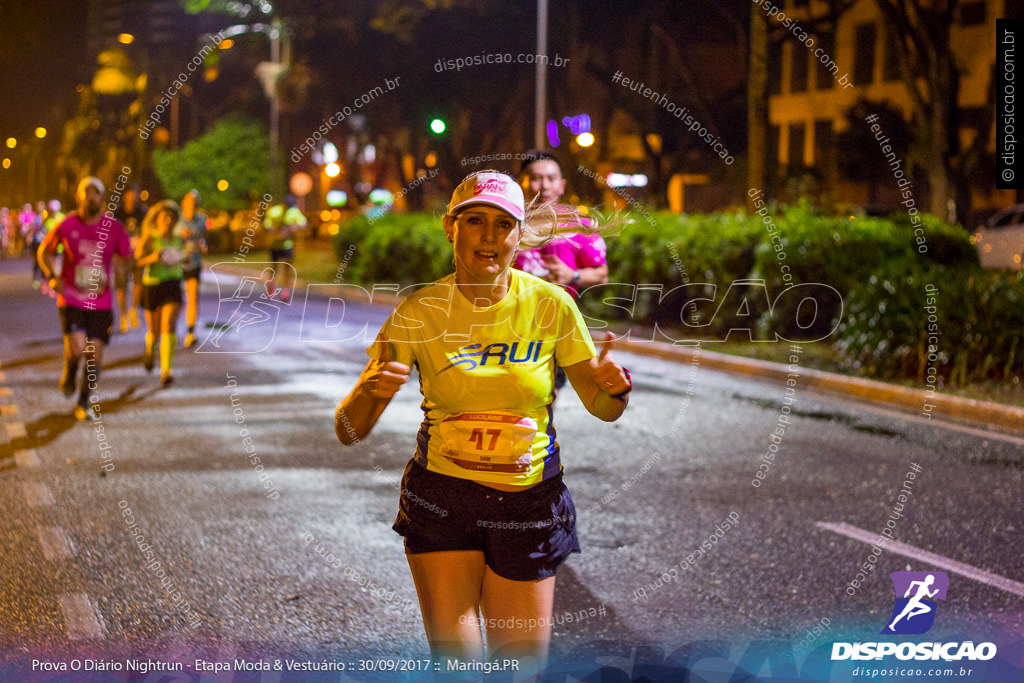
(310,568)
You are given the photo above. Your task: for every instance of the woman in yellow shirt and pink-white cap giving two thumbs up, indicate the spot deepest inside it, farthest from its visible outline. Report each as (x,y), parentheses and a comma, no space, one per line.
(486,517)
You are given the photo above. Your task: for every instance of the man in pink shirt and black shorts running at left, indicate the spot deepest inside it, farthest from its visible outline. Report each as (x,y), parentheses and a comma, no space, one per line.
(93,243)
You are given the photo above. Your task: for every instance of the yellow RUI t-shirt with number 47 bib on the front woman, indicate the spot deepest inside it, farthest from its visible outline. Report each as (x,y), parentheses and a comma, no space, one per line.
(487,376)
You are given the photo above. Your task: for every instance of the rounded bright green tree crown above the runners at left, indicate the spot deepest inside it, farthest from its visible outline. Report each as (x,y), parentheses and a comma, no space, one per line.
(236,150)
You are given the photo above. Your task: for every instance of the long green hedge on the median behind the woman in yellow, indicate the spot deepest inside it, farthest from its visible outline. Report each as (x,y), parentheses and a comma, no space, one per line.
(867,276)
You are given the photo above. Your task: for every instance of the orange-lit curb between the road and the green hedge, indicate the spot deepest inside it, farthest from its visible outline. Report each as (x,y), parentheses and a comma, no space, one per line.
(966,410)
